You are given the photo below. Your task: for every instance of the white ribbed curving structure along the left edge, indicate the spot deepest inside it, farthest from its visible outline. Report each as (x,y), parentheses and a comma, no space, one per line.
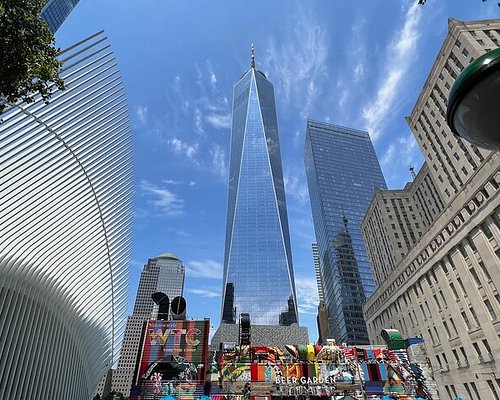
(65,231)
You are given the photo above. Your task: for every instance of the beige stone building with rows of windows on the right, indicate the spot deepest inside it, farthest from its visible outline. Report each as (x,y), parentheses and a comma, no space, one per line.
(435,245)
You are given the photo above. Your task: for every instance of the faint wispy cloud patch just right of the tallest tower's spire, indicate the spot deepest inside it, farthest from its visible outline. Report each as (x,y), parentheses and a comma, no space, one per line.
(297,63)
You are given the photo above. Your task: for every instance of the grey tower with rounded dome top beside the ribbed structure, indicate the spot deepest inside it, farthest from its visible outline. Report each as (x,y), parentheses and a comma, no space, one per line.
(164,273)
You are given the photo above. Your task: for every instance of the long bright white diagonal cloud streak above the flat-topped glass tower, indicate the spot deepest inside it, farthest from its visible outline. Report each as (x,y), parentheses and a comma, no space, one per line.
(398,61)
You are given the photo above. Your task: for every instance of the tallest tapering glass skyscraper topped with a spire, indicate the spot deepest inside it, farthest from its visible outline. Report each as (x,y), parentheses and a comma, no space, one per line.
(258,273)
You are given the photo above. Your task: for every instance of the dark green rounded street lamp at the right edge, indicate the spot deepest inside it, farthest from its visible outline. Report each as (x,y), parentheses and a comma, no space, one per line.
(474,102)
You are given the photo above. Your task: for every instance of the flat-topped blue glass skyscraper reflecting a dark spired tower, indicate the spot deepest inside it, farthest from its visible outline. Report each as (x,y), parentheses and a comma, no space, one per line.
(342,173)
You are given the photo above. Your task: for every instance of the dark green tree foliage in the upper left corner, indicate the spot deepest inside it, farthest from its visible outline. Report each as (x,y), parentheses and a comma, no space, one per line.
(28,58)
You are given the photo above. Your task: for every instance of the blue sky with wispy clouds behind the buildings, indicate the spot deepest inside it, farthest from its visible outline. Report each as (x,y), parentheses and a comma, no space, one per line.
(359,64)
